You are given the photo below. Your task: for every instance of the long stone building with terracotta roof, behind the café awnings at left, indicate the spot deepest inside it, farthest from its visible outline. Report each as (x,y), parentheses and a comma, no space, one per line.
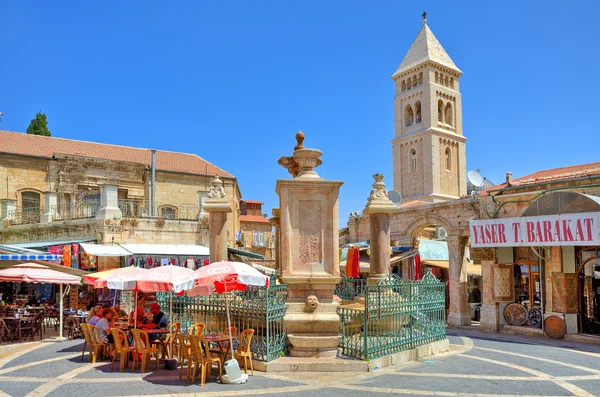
(59,189)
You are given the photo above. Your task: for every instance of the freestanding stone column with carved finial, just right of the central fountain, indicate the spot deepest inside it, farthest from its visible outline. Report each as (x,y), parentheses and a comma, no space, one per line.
(379,207)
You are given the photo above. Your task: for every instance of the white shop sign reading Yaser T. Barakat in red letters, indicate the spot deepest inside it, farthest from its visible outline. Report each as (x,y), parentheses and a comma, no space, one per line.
(549,230)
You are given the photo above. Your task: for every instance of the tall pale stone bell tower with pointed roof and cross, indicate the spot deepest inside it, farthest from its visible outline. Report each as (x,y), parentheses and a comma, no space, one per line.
(429,149)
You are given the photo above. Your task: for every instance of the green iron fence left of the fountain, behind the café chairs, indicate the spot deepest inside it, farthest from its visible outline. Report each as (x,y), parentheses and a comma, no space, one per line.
(258,308)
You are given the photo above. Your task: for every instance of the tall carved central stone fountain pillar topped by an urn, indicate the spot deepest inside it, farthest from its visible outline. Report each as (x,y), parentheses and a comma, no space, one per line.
(309,258)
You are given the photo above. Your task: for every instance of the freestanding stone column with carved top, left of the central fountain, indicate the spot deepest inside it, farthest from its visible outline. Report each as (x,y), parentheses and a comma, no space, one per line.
(217,206)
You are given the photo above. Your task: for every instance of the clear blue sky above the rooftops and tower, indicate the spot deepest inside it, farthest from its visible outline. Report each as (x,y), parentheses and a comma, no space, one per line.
(234,81)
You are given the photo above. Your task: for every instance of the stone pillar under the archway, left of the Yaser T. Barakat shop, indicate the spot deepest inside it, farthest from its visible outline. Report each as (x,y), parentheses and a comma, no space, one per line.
(459,307)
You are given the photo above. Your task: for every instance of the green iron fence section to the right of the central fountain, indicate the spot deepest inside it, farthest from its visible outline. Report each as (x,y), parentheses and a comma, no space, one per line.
(398,315)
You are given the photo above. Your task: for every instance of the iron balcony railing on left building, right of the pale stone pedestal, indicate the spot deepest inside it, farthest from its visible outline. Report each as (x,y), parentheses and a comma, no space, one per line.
(141,209)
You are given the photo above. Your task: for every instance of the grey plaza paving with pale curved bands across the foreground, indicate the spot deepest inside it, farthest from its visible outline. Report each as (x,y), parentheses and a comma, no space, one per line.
(478,364)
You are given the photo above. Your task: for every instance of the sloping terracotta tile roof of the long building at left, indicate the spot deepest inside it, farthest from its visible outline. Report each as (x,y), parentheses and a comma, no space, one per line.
(43,146)
